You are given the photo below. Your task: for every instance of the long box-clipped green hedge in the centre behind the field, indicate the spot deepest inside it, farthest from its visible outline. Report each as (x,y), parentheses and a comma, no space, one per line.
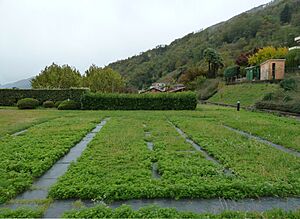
(157,101)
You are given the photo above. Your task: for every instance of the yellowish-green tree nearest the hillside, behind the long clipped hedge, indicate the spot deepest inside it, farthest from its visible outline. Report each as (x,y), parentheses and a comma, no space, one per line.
(103,80)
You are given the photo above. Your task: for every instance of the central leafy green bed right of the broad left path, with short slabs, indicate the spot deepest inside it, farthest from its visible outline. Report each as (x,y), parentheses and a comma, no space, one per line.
(117,165)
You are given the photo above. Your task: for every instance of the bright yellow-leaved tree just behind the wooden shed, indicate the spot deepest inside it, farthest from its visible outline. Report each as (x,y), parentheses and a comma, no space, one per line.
(267,53)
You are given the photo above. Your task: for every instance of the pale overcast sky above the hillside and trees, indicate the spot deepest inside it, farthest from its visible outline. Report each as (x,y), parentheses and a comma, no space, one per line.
(35,33)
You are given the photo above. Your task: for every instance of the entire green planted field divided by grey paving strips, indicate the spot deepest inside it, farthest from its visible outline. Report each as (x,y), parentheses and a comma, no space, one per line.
(118,165)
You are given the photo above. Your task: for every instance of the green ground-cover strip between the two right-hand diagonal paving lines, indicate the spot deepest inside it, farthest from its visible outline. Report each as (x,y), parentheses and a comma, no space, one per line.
(260,169)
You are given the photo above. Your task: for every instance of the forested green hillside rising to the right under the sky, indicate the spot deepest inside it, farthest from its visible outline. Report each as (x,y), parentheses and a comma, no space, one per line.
(276,23)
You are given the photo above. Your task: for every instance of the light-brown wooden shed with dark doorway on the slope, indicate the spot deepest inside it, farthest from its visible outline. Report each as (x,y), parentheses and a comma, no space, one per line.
(272,69)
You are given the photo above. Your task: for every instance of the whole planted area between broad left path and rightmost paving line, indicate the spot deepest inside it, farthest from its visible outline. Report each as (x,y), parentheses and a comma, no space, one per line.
(117,164)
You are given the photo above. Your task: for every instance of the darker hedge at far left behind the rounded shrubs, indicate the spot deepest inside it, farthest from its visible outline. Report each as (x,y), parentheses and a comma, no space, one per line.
(9,97)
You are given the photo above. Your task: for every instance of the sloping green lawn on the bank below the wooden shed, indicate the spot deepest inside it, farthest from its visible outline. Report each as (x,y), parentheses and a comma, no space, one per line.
(247,94)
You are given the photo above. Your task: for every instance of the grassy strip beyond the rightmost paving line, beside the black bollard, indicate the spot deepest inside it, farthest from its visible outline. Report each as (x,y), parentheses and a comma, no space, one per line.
(279,130)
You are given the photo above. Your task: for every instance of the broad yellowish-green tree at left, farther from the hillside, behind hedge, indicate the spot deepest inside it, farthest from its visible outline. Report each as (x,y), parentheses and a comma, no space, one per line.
(55,76)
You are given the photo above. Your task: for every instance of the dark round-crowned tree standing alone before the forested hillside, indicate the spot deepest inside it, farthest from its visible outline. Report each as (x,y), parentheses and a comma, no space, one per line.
(214,60)
